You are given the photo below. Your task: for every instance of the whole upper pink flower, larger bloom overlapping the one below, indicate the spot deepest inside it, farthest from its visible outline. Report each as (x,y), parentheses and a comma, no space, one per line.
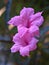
(27,22)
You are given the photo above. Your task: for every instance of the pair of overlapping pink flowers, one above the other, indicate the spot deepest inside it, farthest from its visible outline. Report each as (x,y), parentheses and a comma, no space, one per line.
(27,24)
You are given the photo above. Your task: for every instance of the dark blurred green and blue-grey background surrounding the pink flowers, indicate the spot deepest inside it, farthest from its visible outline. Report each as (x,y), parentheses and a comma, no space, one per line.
(10,8)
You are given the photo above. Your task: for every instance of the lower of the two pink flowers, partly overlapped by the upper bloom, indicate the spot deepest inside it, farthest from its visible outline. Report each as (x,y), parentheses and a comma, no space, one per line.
(24,45)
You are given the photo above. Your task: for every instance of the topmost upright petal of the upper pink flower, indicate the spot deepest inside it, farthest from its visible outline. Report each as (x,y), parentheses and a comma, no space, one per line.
(25,13)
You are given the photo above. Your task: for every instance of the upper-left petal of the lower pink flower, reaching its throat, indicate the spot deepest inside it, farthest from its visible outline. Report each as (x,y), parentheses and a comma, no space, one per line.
(18,40)
